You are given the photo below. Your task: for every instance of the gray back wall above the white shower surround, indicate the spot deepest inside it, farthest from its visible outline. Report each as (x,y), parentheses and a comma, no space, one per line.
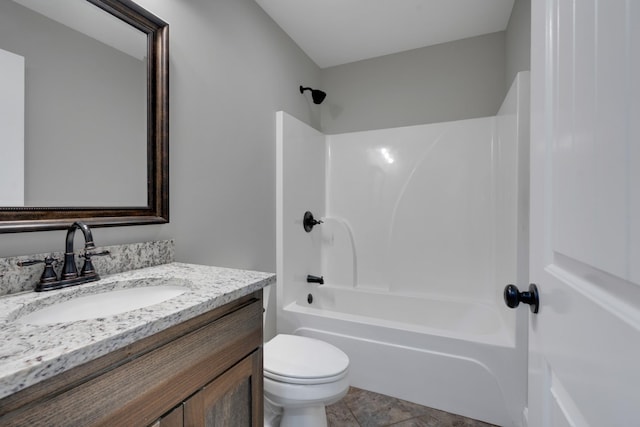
(451,81)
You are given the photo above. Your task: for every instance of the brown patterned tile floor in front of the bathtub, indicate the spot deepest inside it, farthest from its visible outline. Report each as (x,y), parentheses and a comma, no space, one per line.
(362,408)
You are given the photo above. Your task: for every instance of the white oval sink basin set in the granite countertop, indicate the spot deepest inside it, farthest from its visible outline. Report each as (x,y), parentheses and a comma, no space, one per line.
(102,304)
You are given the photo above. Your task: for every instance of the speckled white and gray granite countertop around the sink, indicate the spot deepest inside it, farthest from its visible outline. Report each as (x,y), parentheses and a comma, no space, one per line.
(33,353)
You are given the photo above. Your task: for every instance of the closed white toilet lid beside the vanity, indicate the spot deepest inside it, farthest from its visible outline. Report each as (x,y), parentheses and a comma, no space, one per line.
(296,359)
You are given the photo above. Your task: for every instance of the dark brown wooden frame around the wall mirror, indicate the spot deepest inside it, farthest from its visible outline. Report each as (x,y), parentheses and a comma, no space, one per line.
(20,219)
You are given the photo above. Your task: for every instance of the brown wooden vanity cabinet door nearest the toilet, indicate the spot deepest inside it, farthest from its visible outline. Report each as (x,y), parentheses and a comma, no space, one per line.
(233,399)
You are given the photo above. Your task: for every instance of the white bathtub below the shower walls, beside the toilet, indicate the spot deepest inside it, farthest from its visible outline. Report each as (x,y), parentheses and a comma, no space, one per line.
(452,355)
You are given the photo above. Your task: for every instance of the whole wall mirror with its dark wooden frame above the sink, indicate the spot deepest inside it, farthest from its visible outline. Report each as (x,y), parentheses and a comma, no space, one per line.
(84,127)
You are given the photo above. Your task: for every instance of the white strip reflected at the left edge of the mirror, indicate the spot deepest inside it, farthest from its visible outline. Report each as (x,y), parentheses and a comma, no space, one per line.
(11,129)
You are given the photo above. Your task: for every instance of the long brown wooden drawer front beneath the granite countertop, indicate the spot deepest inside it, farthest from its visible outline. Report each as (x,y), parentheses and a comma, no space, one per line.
(148,384)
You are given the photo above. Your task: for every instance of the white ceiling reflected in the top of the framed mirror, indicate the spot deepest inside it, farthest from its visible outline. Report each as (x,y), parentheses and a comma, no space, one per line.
(84,17)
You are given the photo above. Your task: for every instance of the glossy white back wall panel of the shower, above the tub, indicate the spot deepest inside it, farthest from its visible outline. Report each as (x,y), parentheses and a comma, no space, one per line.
(421,203)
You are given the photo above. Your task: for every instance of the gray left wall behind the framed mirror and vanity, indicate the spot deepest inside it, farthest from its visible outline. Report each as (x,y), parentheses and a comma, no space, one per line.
(231,69)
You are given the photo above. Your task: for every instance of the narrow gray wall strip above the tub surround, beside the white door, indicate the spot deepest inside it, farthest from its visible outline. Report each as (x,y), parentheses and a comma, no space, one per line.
(518,41)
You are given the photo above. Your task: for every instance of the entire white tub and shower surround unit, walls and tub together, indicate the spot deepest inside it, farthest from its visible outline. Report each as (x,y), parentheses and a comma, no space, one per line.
(424,226)
